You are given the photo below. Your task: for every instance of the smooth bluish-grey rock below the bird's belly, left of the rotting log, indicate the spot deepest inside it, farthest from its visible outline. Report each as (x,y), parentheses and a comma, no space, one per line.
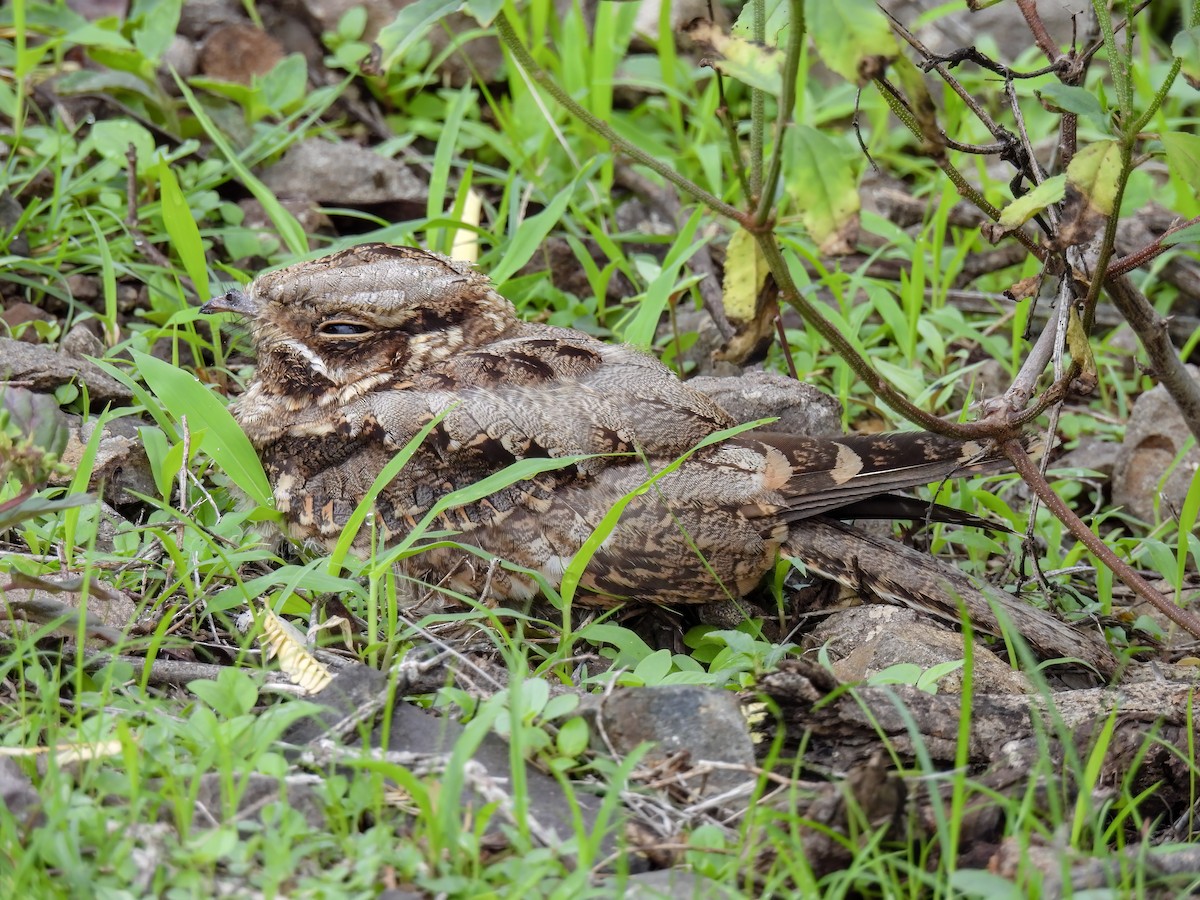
(705,723)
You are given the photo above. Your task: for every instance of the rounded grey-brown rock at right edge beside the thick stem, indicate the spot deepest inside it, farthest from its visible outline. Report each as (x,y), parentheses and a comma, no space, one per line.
(1154,439)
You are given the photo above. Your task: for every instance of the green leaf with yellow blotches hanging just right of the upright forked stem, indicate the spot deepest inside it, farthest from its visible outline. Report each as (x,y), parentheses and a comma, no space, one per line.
(821,184)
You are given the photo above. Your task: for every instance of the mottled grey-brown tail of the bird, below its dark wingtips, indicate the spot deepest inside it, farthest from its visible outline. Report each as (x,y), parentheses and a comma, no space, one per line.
(895,573)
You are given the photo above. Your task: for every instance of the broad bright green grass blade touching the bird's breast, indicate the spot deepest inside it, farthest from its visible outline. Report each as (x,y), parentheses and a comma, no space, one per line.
(223,437)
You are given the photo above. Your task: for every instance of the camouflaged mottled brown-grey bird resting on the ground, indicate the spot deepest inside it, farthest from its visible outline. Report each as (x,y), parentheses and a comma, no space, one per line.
(362,350)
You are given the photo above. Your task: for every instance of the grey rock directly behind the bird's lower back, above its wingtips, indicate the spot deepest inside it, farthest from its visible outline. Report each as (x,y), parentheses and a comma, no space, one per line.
(802,409)
